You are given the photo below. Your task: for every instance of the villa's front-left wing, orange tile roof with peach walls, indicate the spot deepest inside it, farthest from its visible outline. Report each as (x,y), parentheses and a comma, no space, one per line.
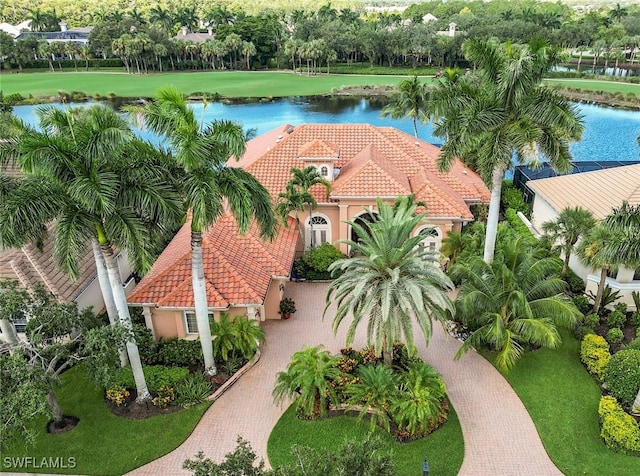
(244,275)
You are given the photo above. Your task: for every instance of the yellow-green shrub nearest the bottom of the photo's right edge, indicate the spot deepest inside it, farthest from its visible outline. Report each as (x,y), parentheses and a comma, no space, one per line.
(619,430)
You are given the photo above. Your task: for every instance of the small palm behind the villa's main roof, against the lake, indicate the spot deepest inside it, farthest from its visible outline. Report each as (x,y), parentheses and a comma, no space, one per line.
(411,101)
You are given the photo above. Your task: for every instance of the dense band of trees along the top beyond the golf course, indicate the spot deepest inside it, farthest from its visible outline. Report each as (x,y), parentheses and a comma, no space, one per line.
(149,38)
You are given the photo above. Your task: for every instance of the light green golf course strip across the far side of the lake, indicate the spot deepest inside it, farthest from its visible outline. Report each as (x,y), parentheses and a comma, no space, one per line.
(227,83)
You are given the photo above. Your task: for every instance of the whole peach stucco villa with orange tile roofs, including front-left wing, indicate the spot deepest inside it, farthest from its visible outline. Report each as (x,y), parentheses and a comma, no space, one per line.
(362,162)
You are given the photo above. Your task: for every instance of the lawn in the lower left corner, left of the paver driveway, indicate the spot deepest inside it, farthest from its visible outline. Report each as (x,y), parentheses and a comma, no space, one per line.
(102,443)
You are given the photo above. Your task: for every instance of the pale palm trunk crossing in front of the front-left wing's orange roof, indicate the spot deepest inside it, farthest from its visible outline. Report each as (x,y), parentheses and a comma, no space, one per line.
(200,300)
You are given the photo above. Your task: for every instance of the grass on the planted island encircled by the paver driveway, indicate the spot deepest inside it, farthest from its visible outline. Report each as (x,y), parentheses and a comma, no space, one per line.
(444,449)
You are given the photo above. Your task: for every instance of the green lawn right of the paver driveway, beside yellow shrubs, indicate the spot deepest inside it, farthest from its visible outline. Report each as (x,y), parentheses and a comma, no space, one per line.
(562,399)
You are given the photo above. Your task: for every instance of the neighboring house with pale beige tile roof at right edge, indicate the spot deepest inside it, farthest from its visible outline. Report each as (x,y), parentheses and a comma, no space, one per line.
(600,192)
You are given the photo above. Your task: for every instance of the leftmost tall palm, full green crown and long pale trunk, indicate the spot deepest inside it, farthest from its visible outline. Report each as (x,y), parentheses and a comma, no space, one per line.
(101,188)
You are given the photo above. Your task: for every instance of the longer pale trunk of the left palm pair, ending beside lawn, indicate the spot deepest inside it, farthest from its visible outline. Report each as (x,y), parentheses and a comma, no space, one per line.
(125,320)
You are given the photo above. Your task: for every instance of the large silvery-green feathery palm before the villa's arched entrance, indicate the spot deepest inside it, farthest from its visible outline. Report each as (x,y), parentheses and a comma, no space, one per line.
(393,281)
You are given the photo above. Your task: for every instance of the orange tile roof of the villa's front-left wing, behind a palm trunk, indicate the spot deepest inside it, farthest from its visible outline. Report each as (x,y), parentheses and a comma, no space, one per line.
(238,268)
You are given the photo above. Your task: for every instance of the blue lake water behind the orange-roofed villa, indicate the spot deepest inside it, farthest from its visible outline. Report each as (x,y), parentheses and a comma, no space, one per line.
(610,134)
